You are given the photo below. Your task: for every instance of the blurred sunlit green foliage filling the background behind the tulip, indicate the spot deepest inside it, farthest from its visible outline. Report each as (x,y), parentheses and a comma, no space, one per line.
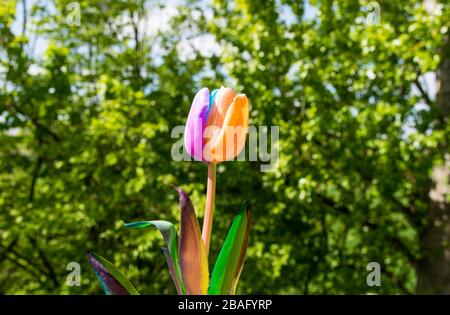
(85,138)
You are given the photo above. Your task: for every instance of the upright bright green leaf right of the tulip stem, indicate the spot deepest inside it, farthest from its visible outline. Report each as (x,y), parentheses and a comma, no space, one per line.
(230,261)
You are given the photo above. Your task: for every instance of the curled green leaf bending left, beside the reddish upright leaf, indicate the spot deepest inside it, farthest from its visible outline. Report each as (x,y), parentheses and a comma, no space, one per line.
(171,251)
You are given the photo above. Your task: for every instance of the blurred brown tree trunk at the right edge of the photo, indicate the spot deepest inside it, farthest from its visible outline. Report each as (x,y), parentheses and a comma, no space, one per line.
(434,267)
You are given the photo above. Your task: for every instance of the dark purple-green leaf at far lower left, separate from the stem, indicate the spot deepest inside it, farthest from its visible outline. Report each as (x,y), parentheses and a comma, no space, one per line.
(111,279)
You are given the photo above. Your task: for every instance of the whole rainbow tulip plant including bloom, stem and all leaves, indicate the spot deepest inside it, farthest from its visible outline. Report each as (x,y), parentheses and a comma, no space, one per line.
(216,130)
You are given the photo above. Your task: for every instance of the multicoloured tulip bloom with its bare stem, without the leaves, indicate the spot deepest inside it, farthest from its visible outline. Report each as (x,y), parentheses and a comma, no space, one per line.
(216,131)
